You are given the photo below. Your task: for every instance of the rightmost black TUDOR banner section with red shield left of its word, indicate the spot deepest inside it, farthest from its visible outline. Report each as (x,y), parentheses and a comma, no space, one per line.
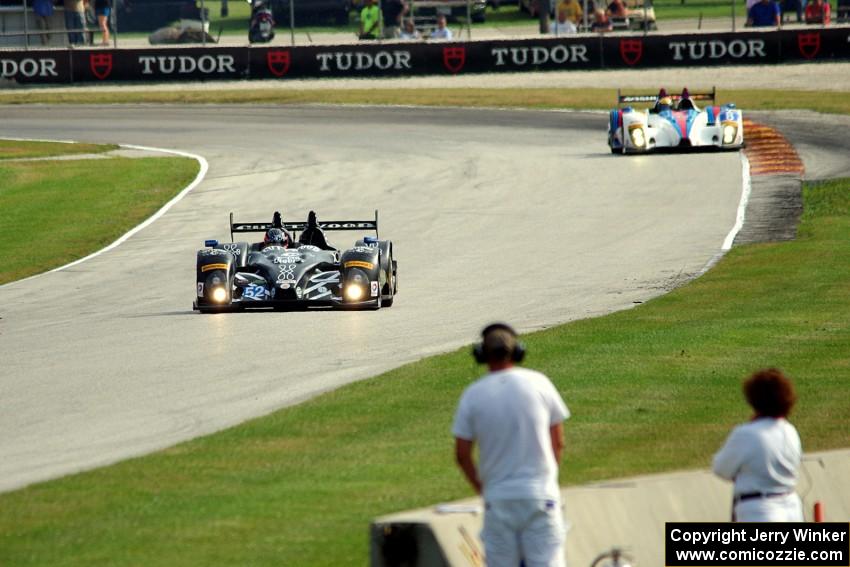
(752,48)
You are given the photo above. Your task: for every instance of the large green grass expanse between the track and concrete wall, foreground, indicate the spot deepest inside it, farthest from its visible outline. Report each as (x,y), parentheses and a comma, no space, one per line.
(651,389)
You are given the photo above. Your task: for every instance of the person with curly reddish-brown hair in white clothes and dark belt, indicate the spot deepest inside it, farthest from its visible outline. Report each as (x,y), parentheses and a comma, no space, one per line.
(763,455)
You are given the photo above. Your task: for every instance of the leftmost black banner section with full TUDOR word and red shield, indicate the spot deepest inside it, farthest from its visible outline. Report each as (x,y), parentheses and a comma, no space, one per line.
(195,63)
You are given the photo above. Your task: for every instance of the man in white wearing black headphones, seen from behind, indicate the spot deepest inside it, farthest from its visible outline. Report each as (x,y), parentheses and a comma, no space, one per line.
(516,416)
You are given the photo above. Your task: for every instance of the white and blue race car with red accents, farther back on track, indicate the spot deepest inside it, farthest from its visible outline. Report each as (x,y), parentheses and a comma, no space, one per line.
(674,121)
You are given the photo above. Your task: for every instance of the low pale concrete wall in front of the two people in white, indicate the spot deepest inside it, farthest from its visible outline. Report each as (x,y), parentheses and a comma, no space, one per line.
(628,514)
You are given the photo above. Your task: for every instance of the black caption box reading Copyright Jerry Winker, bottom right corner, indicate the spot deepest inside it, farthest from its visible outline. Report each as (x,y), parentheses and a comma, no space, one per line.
(757,544)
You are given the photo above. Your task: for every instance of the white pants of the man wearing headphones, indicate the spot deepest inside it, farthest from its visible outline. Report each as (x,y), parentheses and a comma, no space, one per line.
(528,530)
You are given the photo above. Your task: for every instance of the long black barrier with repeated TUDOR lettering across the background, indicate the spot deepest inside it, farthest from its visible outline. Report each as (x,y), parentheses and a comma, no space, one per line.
(407,59)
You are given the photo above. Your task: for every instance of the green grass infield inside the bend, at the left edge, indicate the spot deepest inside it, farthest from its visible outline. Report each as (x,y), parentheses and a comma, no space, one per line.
(82,204)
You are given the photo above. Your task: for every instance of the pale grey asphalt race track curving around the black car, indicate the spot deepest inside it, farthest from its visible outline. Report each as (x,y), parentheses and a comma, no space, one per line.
(523,216)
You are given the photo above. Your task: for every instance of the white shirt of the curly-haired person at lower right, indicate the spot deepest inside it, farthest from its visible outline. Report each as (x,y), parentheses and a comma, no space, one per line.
(760,456)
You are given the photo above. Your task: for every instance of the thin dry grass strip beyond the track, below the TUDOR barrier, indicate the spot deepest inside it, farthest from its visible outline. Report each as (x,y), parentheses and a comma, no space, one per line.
(602,99)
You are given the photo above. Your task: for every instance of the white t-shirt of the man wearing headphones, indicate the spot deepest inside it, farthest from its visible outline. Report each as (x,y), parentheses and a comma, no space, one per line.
(509,413)
